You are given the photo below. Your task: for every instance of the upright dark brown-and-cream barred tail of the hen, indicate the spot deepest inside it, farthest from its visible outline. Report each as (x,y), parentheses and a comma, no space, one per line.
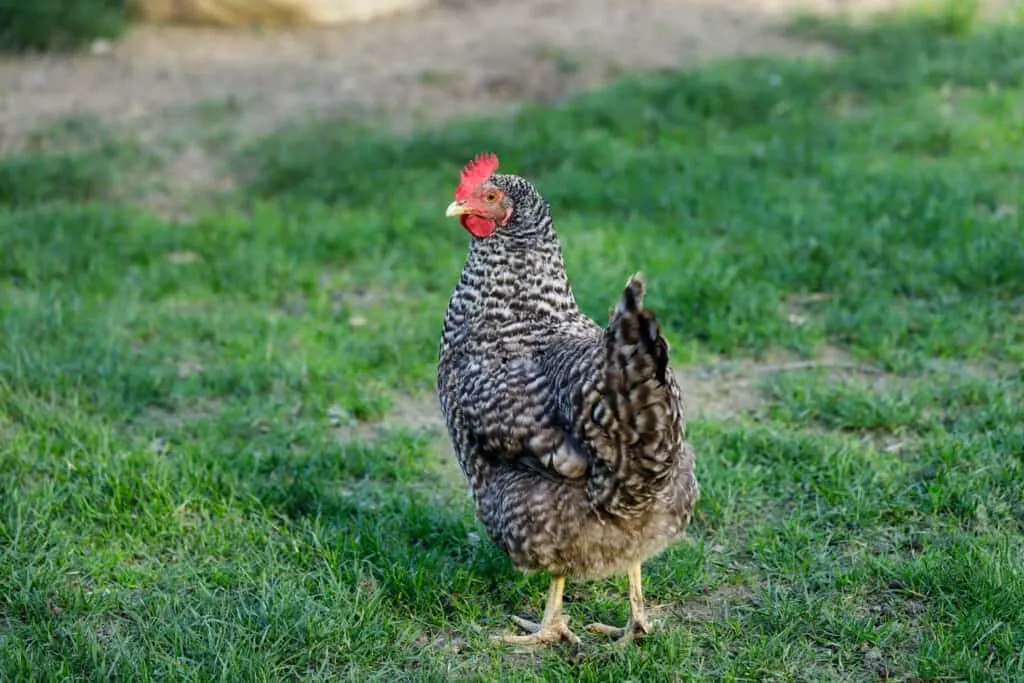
(641,415)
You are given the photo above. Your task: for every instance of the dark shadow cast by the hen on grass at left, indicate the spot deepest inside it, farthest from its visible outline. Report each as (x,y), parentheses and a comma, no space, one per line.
(411,531)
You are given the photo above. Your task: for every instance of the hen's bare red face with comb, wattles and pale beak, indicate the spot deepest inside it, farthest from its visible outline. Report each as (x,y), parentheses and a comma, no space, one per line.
(481,203)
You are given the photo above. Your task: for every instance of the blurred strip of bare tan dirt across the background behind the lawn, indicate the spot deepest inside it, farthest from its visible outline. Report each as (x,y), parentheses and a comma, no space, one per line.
(460,57)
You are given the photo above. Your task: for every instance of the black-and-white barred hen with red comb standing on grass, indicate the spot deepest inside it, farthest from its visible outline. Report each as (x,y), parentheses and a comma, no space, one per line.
(573,438)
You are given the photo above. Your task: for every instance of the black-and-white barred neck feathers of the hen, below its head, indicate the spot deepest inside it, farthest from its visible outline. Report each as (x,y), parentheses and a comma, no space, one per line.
(514,294)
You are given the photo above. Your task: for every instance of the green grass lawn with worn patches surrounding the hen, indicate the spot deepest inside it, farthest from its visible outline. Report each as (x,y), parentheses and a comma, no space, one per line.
(189,490)
